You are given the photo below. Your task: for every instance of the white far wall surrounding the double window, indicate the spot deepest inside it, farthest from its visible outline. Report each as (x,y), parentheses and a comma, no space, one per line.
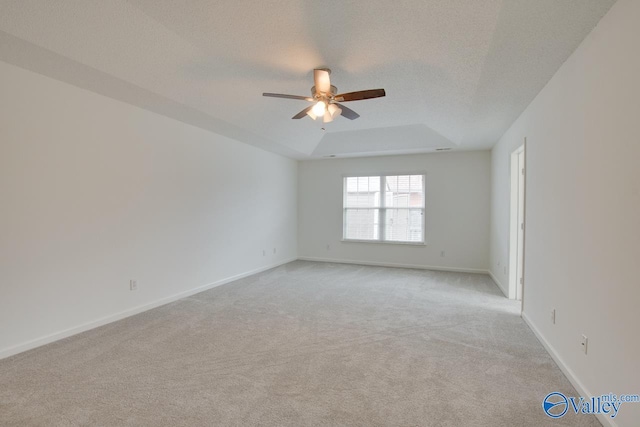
(457,210)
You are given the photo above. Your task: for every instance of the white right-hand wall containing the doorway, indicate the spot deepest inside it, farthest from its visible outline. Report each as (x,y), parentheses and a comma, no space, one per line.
(583,209)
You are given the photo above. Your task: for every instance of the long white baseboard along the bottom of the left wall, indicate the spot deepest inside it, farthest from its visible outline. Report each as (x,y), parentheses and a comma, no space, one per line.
(7,352)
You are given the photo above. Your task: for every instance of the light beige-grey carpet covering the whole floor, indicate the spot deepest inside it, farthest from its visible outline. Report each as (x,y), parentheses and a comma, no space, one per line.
(303,344)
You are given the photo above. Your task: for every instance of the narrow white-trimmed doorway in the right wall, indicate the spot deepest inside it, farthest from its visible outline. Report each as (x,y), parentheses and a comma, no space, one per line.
(516,239)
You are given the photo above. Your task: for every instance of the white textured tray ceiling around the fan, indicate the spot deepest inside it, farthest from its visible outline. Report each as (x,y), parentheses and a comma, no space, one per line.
(457,73)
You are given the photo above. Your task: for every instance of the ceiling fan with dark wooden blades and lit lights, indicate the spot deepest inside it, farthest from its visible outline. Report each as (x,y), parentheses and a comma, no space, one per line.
(326,101)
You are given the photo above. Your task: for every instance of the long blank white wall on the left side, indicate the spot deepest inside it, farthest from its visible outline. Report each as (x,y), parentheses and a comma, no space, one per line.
(95,192)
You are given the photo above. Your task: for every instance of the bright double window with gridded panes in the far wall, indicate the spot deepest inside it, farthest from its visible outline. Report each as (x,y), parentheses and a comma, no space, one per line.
(386,208)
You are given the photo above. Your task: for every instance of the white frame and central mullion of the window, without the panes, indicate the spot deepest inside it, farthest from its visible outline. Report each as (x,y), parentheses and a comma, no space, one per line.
(383,176)
